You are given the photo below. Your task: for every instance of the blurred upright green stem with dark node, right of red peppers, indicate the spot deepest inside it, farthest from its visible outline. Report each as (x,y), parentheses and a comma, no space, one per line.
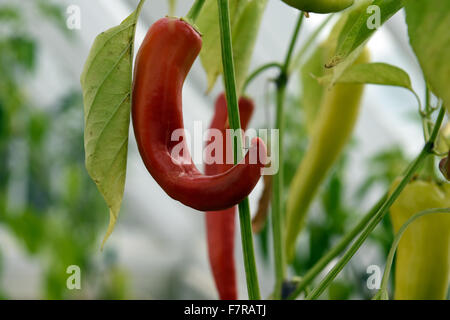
(277,196)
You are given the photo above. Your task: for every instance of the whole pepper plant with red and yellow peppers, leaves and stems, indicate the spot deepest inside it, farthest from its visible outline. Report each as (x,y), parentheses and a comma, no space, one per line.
(223,34)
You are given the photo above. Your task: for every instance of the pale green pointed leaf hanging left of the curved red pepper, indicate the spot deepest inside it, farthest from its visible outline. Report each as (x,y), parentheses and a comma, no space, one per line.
(106,83)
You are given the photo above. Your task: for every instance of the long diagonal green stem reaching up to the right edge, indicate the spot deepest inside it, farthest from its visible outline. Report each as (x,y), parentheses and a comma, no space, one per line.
(426,151)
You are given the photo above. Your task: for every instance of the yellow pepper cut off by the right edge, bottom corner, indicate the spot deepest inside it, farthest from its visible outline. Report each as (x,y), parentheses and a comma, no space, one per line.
(423,255)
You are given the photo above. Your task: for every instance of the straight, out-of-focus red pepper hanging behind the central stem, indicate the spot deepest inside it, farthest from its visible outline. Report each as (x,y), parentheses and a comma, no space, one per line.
(220,225)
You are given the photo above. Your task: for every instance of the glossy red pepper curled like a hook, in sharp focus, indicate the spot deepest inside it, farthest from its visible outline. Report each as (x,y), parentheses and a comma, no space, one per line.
(162,64)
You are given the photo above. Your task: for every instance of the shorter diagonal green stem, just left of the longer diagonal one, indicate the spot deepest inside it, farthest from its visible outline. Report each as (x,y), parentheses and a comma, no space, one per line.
(335,251)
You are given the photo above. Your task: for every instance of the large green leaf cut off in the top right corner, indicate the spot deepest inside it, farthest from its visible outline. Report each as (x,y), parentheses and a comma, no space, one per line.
(429,33)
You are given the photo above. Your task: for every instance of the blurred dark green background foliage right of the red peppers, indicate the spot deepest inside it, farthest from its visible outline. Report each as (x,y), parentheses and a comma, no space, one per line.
(336,209)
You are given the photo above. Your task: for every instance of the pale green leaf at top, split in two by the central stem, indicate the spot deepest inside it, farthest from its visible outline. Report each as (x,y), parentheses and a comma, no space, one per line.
(245,17)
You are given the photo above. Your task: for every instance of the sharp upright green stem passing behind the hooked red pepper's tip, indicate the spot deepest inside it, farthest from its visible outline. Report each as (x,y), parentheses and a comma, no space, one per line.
(233,115)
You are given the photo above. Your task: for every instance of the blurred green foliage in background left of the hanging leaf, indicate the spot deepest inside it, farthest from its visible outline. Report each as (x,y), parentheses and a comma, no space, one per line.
(60,218)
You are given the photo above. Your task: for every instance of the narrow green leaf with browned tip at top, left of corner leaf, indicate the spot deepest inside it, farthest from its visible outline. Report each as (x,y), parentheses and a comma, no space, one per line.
(356,32)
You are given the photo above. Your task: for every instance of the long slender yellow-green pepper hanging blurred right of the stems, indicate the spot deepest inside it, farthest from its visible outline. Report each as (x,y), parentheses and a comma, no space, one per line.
(331,132)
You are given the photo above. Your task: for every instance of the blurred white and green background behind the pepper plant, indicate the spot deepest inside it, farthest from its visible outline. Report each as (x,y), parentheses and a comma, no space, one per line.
(52,216)
